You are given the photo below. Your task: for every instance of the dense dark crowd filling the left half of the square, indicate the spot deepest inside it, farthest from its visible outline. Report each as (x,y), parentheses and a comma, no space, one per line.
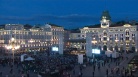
(49,65)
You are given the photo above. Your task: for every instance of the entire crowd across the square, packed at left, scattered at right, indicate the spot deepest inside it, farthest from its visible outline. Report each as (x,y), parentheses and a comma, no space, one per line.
(61,65)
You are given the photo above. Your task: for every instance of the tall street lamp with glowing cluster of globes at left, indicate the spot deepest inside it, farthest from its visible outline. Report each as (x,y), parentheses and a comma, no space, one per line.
(12,46)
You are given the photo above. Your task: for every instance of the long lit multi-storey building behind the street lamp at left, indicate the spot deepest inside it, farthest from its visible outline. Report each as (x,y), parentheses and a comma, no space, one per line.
(30,39)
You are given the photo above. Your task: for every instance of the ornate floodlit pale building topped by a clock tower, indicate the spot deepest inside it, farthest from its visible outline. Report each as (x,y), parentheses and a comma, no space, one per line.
(119,37)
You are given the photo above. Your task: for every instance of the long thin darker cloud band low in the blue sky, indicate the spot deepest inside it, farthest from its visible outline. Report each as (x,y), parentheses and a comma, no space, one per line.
(70,18)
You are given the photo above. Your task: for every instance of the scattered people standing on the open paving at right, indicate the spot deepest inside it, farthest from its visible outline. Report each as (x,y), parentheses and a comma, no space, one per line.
(111,66)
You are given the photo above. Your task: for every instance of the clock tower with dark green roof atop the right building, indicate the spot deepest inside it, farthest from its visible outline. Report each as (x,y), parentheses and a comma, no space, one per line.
(105,19)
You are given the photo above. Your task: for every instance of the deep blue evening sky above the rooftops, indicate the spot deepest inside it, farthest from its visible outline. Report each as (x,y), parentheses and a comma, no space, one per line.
(67,13)
